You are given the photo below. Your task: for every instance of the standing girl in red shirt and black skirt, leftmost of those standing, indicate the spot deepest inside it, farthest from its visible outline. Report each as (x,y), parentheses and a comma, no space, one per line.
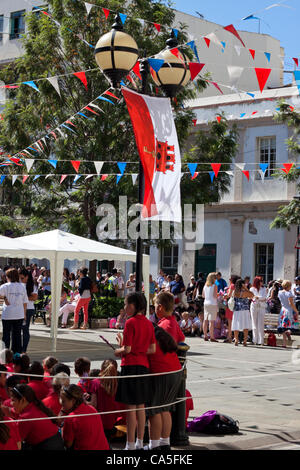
(138,341)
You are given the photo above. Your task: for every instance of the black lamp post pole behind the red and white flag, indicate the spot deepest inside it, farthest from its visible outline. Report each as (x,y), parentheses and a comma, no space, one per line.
(144,70)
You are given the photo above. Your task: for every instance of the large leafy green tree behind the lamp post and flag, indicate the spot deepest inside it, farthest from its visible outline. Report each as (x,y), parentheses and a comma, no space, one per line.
(49,50)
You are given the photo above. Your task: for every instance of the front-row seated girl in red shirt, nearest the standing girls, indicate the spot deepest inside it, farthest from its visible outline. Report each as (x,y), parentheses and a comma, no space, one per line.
(81,433)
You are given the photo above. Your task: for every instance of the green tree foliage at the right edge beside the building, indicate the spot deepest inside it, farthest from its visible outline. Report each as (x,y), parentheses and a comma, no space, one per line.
(289,214)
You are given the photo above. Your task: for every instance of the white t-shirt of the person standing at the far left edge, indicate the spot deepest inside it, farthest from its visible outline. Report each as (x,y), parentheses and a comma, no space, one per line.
(15,292)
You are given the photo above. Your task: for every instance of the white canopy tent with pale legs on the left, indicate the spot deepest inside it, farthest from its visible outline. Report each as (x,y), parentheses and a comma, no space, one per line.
(57,246)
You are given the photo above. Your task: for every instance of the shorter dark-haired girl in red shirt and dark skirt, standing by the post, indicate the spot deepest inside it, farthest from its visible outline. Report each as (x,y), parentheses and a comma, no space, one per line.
(164,388)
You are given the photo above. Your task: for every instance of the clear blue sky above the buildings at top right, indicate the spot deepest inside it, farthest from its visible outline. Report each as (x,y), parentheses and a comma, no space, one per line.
(280,22)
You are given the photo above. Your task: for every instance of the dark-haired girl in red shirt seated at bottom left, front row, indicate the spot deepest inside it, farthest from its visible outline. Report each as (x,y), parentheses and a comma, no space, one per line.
(39,434)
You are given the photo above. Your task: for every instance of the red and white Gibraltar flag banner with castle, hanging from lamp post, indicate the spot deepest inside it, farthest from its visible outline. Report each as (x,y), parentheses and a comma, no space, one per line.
(157,143)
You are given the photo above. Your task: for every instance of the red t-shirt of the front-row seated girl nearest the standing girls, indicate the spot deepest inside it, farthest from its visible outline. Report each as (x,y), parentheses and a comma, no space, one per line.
(85,432)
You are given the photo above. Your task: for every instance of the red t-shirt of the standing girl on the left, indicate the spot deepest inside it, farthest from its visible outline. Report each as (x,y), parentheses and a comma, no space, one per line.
(139,334)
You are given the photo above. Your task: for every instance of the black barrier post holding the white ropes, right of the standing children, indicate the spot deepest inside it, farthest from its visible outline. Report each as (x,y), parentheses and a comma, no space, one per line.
(179,435)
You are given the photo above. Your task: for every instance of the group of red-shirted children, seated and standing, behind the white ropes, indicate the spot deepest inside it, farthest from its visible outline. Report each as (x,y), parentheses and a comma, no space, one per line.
(41,409)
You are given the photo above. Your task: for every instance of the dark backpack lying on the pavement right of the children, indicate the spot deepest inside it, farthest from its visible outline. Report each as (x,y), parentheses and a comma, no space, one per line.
(213,423)
